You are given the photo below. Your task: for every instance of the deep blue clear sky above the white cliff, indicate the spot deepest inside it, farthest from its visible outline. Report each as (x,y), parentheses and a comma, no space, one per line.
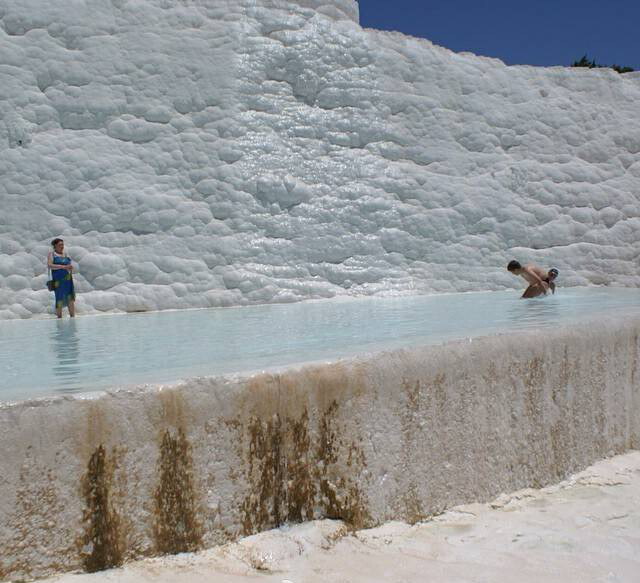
(532,32)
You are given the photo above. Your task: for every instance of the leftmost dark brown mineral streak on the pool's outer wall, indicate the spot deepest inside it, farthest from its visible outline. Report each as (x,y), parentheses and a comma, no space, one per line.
(101,545)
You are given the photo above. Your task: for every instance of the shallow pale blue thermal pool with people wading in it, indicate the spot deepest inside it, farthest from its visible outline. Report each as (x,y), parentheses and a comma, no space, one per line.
(48,357)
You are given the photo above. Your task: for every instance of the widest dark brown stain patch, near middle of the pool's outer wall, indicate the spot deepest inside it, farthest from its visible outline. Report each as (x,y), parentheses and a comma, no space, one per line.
(296,473)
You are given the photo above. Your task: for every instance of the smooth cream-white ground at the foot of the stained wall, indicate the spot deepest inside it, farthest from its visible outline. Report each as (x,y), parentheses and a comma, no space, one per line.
(585,529)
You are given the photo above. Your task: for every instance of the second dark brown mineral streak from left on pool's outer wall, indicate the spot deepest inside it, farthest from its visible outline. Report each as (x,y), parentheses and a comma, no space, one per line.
(177,528)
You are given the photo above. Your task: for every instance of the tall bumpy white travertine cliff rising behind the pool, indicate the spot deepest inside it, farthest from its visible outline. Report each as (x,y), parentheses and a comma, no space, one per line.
(224,152)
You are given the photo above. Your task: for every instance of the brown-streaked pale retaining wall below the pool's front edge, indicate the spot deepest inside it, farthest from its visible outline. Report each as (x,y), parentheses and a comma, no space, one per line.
(90,482)
